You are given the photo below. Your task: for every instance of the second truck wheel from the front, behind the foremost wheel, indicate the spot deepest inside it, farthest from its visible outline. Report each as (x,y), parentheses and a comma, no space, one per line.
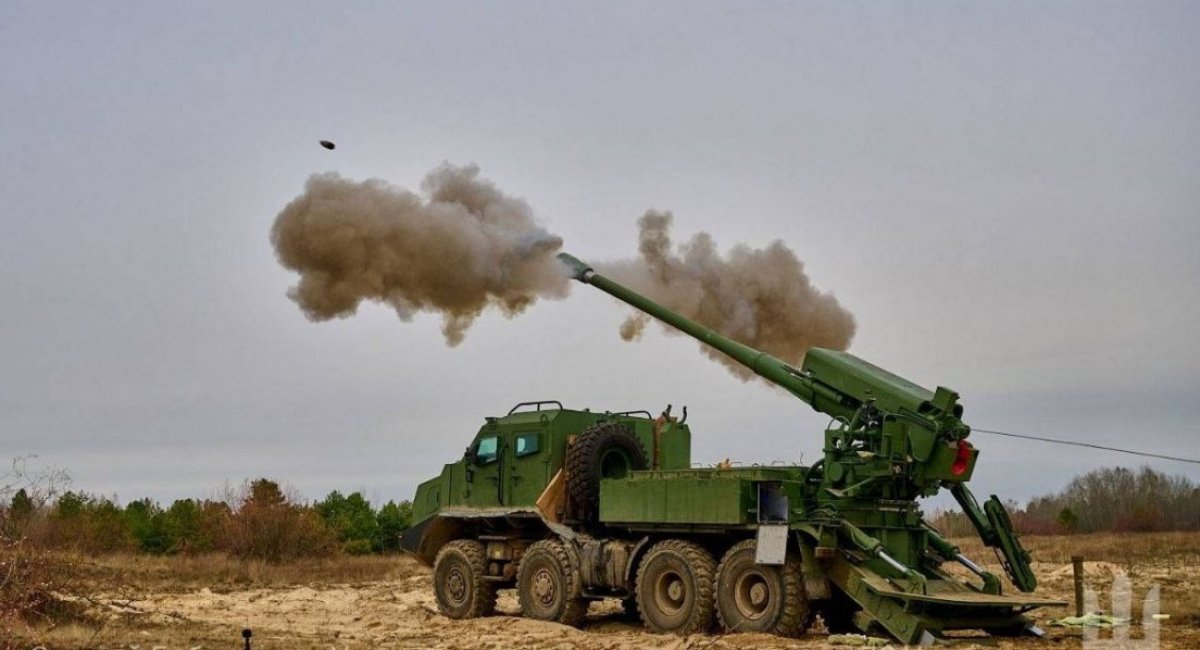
(548,586)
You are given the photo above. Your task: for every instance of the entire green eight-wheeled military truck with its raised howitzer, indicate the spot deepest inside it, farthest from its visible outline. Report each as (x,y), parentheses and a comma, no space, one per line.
(571,507)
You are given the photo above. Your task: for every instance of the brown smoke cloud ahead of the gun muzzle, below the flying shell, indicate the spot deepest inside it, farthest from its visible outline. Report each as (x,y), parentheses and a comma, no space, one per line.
(461,249)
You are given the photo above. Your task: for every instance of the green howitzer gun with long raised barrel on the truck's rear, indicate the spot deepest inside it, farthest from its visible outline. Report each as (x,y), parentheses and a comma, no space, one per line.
(890,443)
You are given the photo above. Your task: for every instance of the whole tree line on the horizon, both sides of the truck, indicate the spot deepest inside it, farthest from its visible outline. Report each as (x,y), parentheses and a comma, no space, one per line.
(263,521)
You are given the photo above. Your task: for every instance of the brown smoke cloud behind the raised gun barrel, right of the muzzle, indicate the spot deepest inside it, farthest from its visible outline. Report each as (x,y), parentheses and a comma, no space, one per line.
(759,297)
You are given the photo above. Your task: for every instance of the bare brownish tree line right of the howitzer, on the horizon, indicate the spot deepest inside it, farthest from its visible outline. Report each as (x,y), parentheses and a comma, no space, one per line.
(1103,501)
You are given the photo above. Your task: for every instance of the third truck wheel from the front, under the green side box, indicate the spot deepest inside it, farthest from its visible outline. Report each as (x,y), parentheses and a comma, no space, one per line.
(675,588)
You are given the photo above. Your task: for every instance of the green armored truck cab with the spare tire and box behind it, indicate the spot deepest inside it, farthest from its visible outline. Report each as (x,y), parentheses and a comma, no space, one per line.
(514,473)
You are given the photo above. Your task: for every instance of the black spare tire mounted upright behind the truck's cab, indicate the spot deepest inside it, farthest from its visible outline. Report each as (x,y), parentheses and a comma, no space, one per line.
(603,452)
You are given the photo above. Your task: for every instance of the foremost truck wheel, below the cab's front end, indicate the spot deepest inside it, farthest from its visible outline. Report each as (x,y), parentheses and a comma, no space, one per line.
(459,581)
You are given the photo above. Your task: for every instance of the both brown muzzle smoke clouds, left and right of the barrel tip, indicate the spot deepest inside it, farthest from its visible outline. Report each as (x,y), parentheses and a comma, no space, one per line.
(465,246)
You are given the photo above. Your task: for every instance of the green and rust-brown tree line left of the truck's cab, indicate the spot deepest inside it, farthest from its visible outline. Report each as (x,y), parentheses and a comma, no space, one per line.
(262,522)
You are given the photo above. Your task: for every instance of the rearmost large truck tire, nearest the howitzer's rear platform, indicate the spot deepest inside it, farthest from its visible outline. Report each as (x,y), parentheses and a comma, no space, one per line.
(757,598)
